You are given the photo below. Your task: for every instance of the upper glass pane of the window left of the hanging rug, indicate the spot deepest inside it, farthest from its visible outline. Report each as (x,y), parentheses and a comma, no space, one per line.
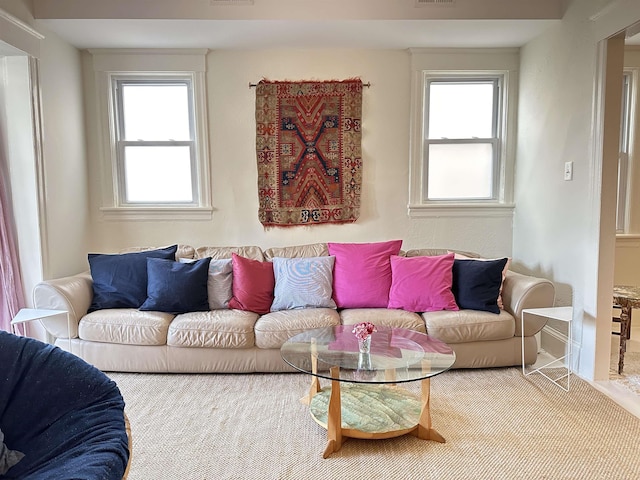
(156,112)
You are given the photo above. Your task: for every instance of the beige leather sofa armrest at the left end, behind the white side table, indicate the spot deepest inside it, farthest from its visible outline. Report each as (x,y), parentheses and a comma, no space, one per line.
(73,294)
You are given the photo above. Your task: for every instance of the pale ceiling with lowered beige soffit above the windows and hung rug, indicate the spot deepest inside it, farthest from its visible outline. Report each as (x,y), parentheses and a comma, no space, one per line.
(299,24)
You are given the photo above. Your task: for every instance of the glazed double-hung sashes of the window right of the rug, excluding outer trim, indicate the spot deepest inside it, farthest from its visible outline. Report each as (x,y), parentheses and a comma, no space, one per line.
(462,143)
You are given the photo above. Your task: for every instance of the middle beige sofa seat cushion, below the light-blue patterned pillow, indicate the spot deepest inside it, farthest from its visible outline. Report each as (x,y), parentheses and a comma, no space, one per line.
(275,328)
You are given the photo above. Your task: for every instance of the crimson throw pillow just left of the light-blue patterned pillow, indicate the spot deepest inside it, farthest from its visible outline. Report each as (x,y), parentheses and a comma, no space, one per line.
(253,285)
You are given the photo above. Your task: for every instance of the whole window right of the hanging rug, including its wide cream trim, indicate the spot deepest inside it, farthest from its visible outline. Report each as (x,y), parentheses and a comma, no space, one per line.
(463,144)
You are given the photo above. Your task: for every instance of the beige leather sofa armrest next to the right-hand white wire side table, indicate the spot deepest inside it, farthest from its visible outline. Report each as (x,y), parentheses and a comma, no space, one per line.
(523,291)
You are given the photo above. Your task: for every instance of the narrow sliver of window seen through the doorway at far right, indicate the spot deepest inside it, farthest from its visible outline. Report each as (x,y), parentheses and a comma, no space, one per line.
(623,158)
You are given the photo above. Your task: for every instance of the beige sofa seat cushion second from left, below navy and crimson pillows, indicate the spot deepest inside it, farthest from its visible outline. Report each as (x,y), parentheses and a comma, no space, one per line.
(213,329)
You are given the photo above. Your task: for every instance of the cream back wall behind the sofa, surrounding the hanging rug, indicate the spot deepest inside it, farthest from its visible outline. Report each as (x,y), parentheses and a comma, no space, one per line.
(231,109)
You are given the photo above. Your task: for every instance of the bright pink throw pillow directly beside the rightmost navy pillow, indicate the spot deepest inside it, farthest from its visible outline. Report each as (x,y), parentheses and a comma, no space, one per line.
(422,284)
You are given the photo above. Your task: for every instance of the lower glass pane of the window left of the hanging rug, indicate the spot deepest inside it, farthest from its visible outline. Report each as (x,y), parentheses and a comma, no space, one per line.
(158,174)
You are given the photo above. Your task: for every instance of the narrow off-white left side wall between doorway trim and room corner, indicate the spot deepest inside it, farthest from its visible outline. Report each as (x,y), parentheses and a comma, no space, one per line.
(66,195)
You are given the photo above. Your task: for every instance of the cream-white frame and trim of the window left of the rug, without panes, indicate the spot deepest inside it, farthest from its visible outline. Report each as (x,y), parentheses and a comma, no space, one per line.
(112,66)
